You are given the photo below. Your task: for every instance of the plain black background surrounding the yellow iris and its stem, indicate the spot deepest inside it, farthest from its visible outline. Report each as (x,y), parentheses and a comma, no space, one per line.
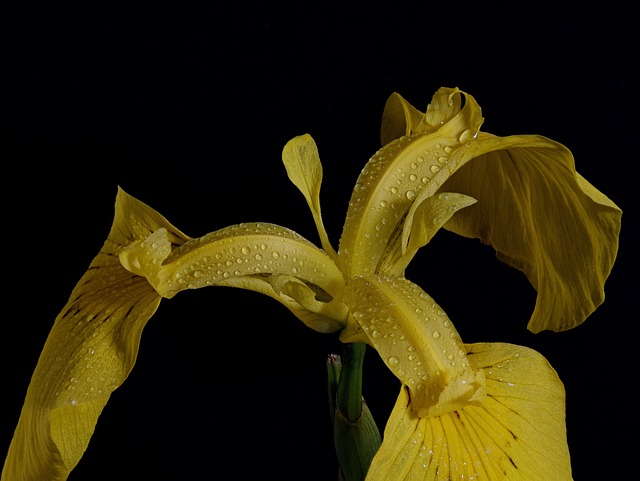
(188,110)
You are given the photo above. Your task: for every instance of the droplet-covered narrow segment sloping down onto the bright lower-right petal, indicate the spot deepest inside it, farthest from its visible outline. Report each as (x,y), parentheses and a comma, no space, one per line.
(416,340)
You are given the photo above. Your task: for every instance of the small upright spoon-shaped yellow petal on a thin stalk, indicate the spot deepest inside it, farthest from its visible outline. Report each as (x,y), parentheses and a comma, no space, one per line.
(302,162)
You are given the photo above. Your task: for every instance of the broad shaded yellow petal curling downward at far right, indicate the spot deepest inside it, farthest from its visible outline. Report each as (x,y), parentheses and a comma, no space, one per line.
(542,218)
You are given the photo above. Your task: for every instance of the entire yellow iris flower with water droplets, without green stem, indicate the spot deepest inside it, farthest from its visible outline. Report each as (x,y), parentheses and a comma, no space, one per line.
(479,411)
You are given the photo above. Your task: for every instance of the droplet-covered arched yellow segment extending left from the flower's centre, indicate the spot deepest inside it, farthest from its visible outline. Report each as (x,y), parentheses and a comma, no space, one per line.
(252,250)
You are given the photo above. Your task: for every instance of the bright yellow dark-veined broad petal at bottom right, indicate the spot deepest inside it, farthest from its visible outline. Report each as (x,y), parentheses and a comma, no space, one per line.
(517,434)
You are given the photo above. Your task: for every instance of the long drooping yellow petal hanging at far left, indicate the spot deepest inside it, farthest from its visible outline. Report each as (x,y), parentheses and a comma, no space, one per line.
(90,351)
